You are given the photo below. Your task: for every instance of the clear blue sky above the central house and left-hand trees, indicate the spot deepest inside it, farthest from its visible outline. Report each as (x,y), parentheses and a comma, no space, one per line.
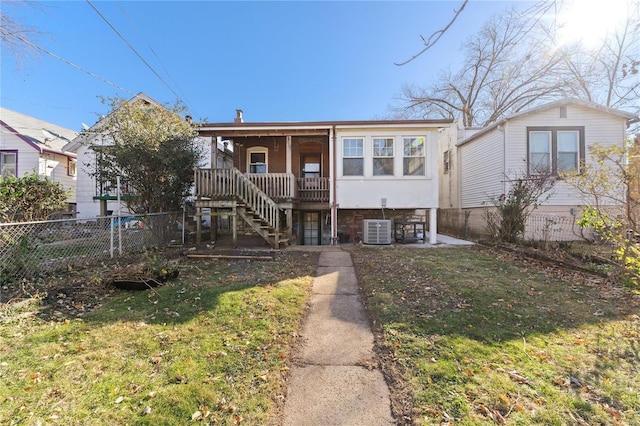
(277,61)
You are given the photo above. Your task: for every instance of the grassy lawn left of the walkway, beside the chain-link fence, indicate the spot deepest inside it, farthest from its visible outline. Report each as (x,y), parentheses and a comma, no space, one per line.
(211,346)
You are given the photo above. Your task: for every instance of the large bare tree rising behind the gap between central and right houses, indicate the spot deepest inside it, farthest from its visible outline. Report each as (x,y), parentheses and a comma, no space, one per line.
(505,71)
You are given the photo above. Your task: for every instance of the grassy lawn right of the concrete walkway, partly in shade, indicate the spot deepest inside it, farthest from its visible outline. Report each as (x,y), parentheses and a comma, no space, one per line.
(476,336)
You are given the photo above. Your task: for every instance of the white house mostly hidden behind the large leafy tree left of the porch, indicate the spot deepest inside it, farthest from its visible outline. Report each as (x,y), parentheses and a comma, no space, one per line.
(98,197)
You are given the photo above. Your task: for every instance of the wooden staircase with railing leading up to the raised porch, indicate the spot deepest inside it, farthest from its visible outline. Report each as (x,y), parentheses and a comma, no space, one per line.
(253,205)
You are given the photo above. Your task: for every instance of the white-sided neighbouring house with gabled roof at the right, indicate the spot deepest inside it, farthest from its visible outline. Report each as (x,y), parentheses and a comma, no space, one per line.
(477,164)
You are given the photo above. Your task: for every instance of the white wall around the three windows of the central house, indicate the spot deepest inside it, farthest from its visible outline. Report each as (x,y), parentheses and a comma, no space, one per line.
(363,192)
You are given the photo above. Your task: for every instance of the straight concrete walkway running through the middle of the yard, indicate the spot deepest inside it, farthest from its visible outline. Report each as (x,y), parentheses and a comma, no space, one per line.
(335,379)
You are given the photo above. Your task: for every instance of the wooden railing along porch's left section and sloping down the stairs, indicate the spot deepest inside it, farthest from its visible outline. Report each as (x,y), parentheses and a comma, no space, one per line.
(230,183)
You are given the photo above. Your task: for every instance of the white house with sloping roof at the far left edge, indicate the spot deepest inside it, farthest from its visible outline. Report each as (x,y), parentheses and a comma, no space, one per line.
(29,145)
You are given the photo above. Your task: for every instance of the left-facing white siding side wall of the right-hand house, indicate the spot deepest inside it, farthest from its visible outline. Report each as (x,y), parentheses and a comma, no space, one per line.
(481,170)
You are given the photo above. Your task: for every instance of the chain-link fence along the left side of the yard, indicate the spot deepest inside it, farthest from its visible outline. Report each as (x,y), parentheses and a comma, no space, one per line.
(32,248)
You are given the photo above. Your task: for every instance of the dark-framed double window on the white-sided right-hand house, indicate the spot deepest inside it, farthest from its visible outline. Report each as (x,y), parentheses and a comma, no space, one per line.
(555,150)
